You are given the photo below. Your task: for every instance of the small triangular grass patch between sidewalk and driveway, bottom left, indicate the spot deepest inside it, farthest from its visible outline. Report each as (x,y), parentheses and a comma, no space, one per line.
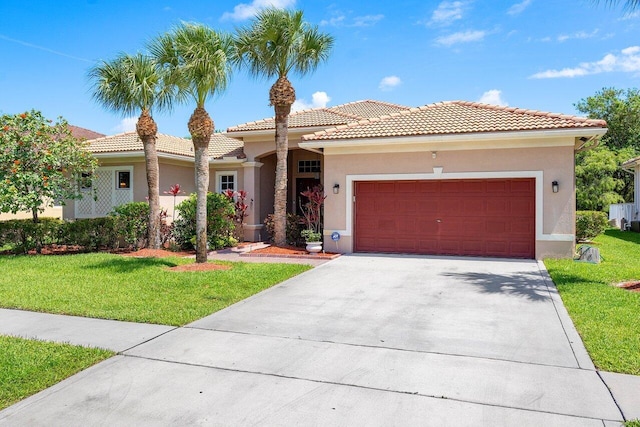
(29,366)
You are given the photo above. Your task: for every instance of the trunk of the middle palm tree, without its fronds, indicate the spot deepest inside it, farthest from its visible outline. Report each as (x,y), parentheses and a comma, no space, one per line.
(201,129)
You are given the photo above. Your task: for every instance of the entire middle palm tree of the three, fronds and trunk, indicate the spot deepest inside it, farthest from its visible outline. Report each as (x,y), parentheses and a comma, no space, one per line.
(197,61)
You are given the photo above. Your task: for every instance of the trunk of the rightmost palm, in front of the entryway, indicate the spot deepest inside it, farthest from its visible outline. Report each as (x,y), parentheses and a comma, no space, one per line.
(280,199)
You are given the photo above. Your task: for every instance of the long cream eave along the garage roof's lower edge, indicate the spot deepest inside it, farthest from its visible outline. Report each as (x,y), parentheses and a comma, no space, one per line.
(477,136)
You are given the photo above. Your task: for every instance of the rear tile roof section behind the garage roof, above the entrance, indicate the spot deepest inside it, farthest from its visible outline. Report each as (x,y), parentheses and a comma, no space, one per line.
(327,116)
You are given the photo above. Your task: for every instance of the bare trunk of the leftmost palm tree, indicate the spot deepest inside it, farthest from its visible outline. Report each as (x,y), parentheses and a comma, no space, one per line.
(147,130)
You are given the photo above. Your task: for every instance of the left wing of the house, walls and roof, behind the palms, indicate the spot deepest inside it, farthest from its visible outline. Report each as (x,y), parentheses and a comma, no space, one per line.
(121,176)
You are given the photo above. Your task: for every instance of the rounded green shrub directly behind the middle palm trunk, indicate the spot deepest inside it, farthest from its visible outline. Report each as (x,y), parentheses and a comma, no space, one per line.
(220,226)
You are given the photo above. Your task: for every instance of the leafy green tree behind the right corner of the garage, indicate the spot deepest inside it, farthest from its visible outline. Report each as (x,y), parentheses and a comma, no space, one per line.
(599,179)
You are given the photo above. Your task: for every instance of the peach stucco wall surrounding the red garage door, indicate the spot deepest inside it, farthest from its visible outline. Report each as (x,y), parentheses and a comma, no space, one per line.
(546,164)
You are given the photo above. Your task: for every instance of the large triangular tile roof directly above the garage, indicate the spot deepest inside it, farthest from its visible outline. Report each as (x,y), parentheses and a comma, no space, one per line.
(453,117)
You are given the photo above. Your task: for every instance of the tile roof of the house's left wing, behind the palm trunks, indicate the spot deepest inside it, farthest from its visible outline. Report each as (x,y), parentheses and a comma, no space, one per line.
(220,145)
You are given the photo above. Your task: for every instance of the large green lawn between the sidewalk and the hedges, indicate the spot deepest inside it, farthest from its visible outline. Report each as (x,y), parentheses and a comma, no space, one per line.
(143,290)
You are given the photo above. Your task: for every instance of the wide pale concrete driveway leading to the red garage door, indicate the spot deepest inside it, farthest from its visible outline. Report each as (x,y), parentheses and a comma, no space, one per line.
(362,340)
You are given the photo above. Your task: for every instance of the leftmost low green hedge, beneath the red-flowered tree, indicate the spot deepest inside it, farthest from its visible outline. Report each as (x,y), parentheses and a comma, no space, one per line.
(24,235)
